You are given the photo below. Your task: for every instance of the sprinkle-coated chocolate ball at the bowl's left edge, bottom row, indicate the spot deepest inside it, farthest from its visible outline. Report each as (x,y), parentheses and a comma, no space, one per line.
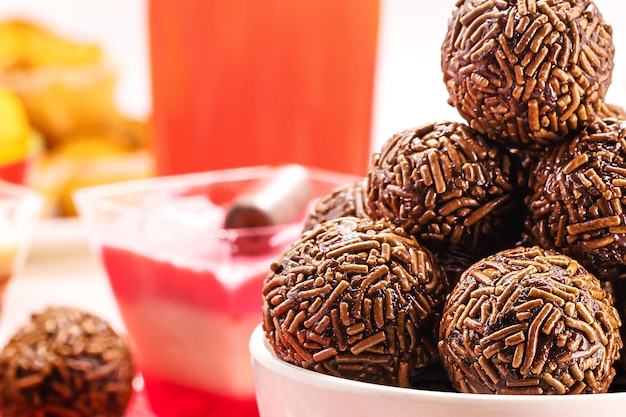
(355,298)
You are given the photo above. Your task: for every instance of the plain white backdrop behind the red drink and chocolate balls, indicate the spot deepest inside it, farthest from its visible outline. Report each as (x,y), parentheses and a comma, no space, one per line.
(409,87)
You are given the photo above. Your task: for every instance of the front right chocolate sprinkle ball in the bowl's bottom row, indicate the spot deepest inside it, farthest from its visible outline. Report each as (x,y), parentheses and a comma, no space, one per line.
(529,321)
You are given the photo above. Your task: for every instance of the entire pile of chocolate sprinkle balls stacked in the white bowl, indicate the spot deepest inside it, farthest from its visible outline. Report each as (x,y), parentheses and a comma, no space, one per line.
(496,247)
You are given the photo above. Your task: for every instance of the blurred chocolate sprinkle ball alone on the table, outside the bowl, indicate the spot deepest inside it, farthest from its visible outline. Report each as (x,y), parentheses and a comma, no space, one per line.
(65,362)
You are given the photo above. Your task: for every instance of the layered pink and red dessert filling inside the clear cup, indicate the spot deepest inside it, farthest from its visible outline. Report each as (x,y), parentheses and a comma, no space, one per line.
(215,298)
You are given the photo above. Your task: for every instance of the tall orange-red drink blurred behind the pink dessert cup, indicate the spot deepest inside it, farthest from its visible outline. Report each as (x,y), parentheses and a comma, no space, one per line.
(251,82)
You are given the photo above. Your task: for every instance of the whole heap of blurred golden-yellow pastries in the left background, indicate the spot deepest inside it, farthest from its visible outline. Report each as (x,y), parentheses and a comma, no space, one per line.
(57,97)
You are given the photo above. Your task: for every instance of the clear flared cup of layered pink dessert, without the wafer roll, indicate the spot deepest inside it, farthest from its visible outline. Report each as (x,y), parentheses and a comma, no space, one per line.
(189,299)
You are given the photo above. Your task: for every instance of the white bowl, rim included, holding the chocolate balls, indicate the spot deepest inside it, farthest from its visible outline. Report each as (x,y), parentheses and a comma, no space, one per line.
(285,390)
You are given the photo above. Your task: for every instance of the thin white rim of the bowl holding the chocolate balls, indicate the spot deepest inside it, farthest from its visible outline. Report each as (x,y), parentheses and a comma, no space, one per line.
(262,353)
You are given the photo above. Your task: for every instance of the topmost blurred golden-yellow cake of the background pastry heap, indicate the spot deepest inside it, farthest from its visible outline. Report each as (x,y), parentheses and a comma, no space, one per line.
(65,85)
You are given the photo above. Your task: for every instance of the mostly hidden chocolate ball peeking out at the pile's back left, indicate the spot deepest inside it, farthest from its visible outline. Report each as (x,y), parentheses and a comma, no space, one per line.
(347,200)
